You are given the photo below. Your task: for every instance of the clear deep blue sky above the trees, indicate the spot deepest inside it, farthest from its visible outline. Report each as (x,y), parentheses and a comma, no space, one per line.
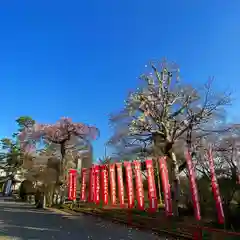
(79,58)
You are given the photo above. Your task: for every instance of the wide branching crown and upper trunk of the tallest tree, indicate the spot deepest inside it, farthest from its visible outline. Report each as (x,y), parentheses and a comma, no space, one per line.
(164,115)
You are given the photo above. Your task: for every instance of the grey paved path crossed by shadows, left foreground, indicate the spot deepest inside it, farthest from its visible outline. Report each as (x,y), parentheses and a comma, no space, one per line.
(21,221)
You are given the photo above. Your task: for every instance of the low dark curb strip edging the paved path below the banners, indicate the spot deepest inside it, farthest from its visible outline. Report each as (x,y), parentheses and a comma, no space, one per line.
(135,225)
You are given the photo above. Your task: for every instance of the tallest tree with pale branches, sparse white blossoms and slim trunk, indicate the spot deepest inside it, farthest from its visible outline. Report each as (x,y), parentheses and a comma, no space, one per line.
(164,111)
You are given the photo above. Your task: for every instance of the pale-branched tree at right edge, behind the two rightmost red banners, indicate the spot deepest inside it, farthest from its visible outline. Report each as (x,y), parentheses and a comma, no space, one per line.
(225,157)
